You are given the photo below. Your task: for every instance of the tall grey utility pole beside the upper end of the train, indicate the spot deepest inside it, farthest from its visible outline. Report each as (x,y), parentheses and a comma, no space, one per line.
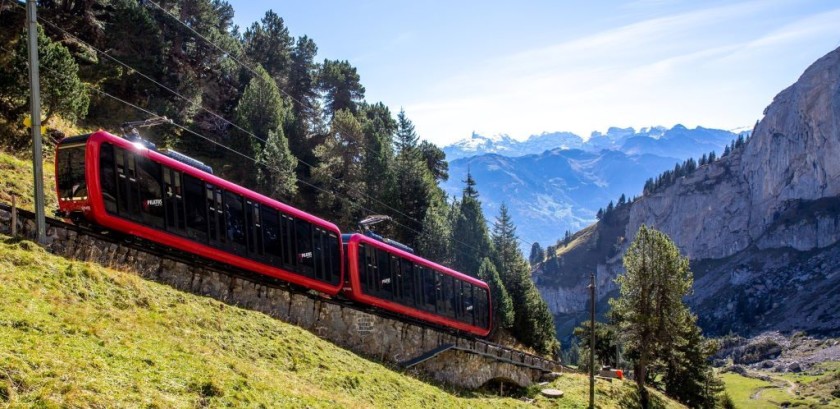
(35,112)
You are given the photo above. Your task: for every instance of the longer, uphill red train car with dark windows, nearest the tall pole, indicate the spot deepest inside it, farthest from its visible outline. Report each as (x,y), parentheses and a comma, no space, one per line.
(127,187)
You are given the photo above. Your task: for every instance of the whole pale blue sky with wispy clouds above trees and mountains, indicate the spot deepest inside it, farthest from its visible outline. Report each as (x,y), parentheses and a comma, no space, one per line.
(527,67)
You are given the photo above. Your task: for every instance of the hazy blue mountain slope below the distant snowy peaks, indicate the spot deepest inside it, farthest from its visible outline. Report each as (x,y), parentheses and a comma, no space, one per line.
(555,191)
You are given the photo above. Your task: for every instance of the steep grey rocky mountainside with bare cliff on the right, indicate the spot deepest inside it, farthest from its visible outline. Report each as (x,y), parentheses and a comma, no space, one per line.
(761,225)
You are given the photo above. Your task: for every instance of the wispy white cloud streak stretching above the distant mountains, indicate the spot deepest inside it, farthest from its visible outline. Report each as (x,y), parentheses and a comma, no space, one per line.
(695,68)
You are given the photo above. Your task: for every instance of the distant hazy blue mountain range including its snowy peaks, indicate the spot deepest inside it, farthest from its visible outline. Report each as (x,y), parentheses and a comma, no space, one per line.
(556,182)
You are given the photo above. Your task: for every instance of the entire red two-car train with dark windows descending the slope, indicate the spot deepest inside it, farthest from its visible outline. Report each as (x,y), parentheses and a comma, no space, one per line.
(166,198)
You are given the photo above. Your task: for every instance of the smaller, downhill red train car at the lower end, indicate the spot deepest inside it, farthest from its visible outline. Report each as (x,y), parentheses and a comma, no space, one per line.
(398,281)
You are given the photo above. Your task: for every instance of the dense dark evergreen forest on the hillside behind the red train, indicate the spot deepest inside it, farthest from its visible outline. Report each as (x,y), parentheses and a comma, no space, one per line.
(258,105)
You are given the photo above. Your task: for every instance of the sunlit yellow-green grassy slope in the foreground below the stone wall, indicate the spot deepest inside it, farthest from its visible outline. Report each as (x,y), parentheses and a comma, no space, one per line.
(76,334)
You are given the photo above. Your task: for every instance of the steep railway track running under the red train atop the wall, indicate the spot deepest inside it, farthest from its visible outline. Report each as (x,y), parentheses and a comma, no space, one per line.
(471,344)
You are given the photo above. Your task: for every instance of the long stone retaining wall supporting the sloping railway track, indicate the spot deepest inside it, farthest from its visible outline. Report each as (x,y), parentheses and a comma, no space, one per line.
(367,334)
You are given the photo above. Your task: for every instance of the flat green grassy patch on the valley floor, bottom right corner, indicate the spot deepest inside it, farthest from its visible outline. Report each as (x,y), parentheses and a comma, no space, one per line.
(807,389)
